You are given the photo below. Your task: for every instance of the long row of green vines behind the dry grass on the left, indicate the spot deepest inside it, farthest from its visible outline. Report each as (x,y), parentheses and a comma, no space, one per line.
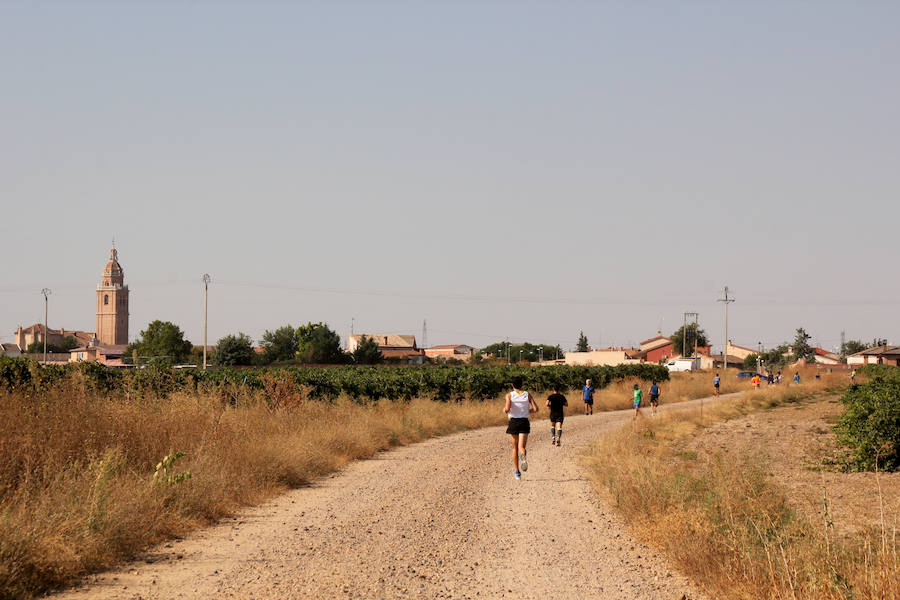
(364,384)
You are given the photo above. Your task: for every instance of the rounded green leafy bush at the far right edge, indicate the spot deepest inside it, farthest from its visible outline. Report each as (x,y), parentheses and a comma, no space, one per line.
(870,425)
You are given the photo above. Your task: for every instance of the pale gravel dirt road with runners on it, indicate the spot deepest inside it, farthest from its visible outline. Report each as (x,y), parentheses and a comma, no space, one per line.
(440,519)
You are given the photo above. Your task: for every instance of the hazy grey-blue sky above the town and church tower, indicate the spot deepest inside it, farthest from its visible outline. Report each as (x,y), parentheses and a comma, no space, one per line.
(521,170)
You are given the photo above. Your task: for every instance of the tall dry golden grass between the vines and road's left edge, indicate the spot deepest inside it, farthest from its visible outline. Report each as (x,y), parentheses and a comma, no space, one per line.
(76,470)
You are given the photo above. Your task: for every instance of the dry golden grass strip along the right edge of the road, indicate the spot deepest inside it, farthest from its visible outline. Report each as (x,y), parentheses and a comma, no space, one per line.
(724,521)
